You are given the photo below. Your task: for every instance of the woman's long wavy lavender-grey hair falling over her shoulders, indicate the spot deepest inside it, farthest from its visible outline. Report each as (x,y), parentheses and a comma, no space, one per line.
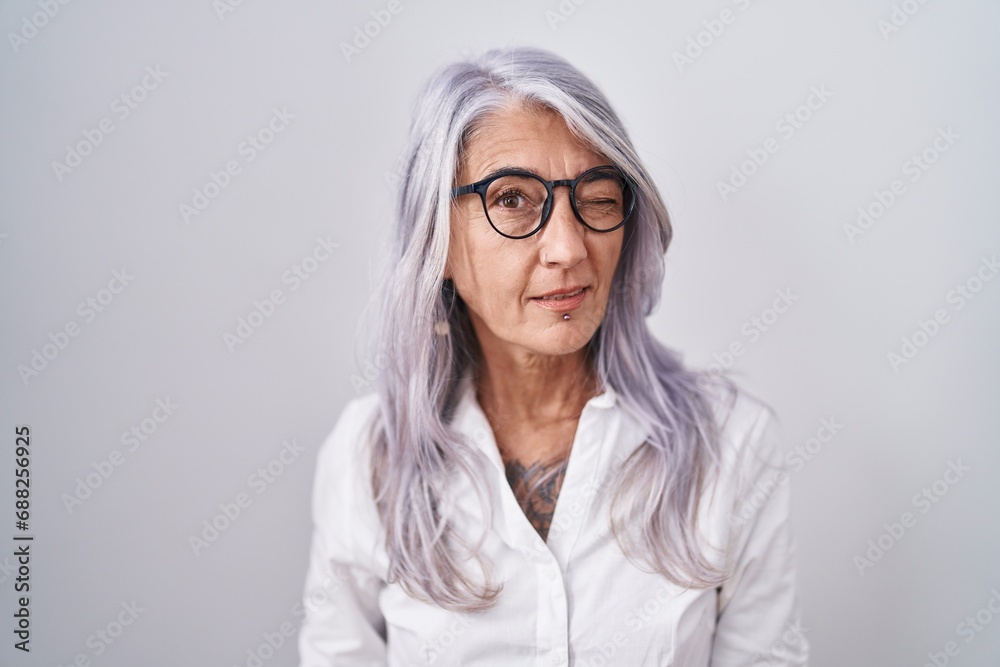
(654,510)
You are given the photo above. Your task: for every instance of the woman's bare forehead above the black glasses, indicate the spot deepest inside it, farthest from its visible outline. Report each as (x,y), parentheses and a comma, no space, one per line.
(529,137)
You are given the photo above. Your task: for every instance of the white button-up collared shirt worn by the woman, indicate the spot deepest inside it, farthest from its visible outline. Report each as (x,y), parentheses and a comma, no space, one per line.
(574,599)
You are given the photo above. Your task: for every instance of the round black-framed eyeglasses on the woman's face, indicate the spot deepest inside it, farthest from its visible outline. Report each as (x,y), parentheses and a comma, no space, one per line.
(519,203)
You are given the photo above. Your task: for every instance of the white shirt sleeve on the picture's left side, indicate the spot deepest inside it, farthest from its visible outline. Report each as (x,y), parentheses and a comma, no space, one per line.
(342,624)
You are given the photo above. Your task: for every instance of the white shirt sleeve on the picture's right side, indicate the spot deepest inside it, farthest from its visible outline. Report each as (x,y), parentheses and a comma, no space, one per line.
(759,616)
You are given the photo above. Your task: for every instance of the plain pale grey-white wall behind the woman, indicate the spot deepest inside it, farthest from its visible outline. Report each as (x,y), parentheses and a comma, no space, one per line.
(330,174)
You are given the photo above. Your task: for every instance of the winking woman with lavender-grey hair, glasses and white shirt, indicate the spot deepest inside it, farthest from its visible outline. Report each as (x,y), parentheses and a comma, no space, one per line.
(537,480)
